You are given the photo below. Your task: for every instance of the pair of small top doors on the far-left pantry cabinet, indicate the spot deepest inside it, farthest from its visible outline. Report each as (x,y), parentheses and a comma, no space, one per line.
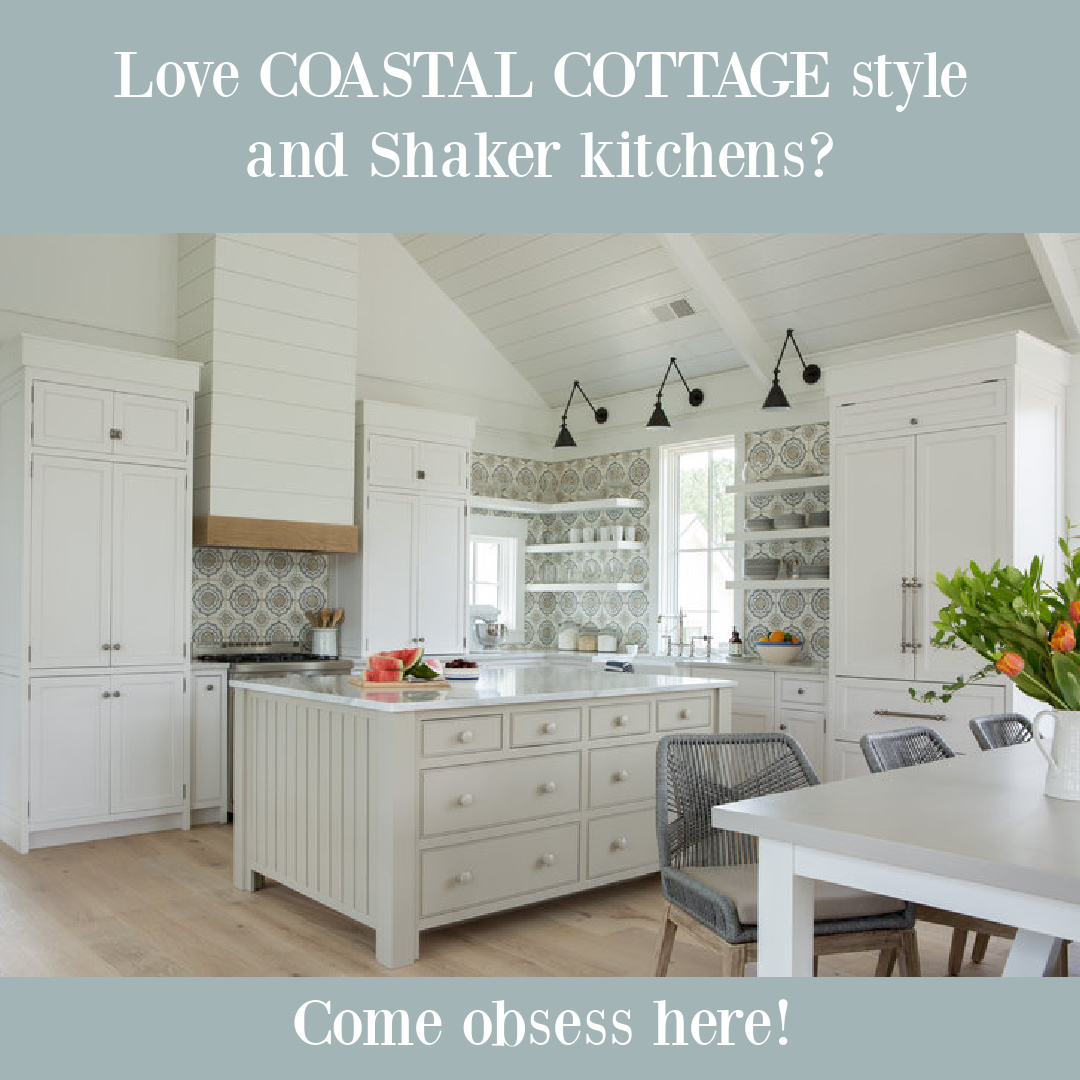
(70,417)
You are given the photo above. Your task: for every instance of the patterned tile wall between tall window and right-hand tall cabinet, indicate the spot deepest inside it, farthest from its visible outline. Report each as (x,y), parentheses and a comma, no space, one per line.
(774,455)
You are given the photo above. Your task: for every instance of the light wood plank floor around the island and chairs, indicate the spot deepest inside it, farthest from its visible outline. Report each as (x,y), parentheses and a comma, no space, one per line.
(165,904)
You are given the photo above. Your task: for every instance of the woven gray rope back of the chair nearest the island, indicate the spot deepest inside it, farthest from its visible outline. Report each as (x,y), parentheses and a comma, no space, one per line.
(696,773)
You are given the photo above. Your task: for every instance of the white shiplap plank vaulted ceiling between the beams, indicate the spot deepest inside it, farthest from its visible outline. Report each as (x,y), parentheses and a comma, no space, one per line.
(566,306)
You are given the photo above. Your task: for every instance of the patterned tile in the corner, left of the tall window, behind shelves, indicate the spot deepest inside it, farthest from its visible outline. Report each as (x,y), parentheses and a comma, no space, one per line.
(624,476)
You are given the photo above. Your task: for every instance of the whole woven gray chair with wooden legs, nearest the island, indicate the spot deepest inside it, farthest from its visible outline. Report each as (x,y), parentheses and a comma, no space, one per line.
(709,876)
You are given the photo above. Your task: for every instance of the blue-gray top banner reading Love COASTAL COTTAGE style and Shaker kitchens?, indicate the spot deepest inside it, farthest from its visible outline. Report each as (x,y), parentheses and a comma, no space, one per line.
(569,115)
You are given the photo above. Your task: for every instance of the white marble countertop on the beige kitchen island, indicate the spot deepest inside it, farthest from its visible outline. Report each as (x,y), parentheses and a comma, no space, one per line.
(497,686)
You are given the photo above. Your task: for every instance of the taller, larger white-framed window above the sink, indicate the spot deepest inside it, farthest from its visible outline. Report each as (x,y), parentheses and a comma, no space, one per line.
(698,561)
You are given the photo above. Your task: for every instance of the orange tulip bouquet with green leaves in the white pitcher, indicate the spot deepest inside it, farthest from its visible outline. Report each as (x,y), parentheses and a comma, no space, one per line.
(1020,626)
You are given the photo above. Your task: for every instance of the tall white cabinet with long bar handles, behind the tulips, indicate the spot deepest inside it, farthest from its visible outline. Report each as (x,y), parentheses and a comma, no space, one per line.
(963,465)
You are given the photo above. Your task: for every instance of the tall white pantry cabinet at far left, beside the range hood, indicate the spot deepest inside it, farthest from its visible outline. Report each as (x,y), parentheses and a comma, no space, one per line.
(96,551)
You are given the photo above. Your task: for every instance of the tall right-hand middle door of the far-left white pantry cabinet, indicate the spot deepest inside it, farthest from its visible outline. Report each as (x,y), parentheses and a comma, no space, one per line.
(151,575)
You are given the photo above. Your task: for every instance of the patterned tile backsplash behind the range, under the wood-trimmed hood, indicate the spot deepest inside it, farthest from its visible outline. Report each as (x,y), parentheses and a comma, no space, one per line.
(242,596)
